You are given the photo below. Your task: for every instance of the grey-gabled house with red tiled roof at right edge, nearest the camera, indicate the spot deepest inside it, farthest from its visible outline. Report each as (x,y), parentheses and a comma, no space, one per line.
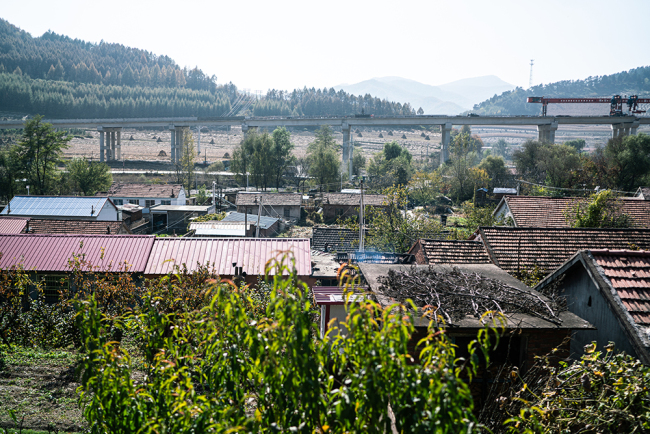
(611,290)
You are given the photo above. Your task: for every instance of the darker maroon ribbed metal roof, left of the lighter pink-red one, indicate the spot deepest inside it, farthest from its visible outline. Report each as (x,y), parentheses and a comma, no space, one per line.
(52,252)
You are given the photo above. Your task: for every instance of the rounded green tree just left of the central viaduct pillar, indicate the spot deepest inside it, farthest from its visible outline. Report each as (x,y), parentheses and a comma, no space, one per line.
(323,159)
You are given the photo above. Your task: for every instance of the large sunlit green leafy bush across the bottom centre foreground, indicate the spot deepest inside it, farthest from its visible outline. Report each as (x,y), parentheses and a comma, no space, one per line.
(226,367)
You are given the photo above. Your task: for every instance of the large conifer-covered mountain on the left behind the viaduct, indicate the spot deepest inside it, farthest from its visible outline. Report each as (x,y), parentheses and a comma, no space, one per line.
(60,77)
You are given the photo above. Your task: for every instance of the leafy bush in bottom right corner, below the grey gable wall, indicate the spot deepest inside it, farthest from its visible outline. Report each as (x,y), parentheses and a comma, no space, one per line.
(601,392)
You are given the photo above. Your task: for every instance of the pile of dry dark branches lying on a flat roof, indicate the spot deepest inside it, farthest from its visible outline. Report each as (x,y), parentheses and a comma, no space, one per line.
(455,294)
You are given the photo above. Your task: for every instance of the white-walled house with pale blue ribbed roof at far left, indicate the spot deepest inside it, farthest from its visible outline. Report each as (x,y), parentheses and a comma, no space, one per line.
(63,208)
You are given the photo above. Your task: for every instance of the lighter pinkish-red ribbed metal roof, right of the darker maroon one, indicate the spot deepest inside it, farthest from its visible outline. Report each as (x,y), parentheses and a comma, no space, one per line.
(250,253)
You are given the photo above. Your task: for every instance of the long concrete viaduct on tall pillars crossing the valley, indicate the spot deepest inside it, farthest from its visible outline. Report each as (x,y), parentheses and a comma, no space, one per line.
(110,129)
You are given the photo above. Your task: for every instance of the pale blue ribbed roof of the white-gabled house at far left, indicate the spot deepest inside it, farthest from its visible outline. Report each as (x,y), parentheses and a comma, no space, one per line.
(55,206)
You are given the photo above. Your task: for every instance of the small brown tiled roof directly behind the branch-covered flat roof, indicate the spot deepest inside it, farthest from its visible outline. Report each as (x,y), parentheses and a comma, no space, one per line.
(454,252)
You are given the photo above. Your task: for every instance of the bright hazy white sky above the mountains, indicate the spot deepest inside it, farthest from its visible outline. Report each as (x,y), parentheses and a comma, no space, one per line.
(280,44)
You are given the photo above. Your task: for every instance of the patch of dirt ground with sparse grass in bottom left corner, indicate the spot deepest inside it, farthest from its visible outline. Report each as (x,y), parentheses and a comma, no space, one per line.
(40,386)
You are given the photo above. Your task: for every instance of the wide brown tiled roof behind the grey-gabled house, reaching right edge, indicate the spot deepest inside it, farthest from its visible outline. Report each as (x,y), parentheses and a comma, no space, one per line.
(515,249)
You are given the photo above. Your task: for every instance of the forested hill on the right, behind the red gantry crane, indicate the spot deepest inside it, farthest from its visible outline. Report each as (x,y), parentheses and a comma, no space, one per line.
(633,82)
